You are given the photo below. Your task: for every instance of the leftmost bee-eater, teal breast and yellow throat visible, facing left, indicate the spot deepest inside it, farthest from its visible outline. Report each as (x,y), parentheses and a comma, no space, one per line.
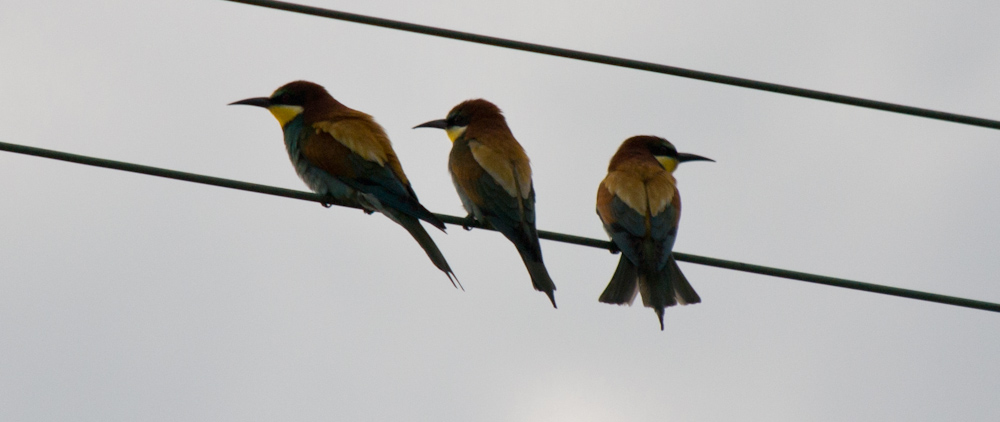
(344,153)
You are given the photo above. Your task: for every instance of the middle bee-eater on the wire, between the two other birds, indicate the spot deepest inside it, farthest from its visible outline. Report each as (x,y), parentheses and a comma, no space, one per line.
(493,178)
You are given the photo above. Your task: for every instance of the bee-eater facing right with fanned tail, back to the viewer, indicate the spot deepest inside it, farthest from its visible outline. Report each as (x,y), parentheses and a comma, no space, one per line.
(640,207)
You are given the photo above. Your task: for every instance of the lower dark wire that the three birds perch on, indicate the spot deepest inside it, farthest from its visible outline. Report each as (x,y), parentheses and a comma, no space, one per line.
(558,237)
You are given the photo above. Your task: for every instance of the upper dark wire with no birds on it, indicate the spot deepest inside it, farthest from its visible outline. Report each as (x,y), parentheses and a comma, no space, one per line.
(622,62)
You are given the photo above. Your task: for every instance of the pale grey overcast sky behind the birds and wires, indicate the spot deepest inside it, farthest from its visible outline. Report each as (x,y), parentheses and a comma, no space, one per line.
(126,297)
